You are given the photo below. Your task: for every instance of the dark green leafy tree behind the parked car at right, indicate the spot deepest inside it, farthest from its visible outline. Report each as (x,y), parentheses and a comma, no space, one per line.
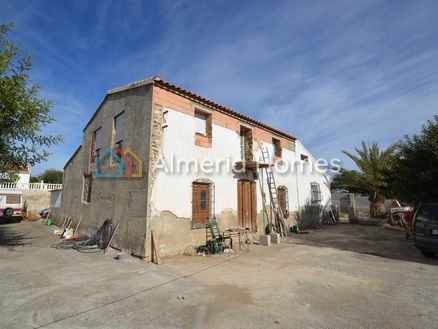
(414,176)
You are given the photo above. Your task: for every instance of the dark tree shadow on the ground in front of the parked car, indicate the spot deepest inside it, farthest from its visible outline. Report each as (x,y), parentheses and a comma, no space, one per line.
(371,240)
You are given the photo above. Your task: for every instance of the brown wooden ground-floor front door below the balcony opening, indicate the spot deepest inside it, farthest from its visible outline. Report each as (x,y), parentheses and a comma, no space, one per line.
(246,204)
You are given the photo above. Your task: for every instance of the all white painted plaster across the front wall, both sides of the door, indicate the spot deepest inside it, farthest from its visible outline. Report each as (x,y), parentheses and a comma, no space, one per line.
(173,191)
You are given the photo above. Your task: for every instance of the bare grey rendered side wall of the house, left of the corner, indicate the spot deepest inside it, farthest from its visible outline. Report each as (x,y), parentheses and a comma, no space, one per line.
(122,199)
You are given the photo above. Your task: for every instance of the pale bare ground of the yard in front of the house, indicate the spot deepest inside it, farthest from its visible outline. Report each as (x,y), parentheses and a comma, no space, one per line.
(343,276)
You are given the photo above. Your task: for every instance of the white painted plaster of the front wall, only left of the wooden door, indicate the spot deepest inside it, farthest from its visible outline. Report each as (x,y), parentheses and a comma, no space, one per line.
(173,192)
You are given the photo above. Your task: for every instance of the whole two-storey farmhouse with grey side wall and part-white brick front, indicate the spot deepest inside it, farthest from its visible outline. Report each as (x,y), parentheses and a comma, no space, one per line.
(157,157)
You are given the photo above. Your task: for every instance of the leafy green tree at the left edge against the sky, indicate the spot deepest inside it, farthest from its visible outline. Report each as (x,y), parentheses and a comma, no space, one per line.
(23,113)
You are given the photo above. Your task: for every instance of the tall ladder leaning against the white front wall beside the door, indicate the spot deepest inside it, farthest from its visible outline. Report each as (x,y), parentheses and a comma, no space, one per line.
(280,225)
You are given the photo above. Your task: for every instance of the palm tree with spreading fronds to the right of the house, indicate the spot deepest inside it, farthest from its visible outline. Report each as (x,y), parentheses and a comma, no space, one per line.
(372,164)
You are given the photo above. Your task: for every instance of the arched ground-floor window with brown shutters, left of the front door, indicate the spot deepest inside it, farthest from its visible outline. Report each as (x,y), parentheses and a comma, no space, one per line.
(202,202)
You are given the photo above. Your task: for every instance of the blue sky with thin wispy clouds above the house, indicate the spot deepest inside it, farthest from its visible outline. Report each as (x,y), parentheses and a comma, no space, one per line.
(332,73)
